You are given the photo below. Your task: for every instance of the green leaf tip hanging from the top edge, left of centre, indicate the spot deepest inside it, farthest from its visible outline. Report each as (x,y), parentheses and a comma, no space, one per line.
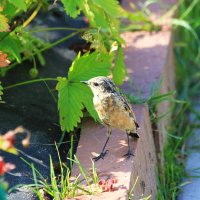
(72,7)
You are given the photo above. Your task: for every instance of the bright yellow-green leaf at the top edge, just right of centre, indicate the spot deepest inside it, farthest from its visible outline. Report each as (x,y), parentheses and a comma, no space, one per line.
(111,7)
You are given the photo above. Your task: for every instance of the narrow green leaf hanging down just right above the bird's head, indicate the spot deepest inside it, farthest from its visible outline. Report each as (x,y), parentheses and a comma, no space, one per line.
(119,71)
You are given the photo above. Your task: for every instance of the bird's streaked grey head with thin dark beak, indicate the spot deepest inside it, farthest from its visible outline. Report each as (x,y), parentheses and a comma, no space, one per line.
(100,84)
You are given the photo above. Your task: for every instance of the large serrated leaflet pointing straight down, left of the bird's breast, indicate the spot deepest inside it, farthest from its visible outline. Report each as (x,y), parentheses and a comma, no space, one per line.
(69,104)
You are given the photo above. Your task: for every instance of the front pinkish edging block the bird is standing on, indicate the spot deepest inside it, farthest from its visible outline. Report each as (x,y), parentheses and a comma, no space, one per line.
(114,165)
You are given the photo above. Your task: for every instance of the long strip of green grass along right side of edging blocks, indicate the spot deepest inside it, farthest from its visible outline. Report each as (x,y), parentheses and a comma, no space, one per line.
(187,59)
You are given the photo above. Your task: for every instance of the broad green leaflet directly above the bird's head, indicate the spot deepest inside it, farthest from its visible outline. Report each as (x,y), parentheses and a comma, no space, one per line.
(89,66)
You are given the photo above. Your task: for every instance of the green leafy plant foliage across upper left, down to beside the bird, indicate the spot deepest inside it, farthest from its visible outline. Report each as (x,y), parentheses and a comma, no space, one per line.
(104,18)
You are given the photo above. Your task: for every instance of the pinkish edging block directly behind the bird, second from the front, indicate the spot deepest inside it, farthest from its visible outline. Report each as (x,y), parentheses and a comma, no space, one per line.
(149,60)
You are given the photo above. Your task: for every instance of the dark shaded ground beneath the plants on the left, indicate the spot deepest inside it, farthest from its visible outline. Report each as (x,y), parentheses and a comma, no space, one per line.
(33,107)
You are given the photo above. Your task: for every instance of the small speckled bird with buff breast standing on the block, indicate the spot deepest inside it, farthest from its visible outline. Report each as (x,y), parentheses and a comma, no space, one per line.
(113,109)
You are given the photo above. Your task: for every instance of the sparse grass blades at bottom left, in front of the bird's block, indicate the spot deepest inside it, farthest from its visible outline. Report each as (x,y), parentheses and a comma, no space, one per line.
(64,186)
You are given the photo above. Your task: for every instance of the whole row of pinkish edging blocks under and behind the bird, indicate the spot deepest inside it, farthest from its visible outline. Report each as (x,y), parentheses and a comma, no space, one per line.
(148,58)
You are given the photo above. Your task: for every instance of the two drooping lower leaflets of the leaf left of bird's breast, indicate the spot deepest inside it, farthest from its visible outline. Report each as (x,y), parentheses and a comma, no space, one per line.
(72,98)
